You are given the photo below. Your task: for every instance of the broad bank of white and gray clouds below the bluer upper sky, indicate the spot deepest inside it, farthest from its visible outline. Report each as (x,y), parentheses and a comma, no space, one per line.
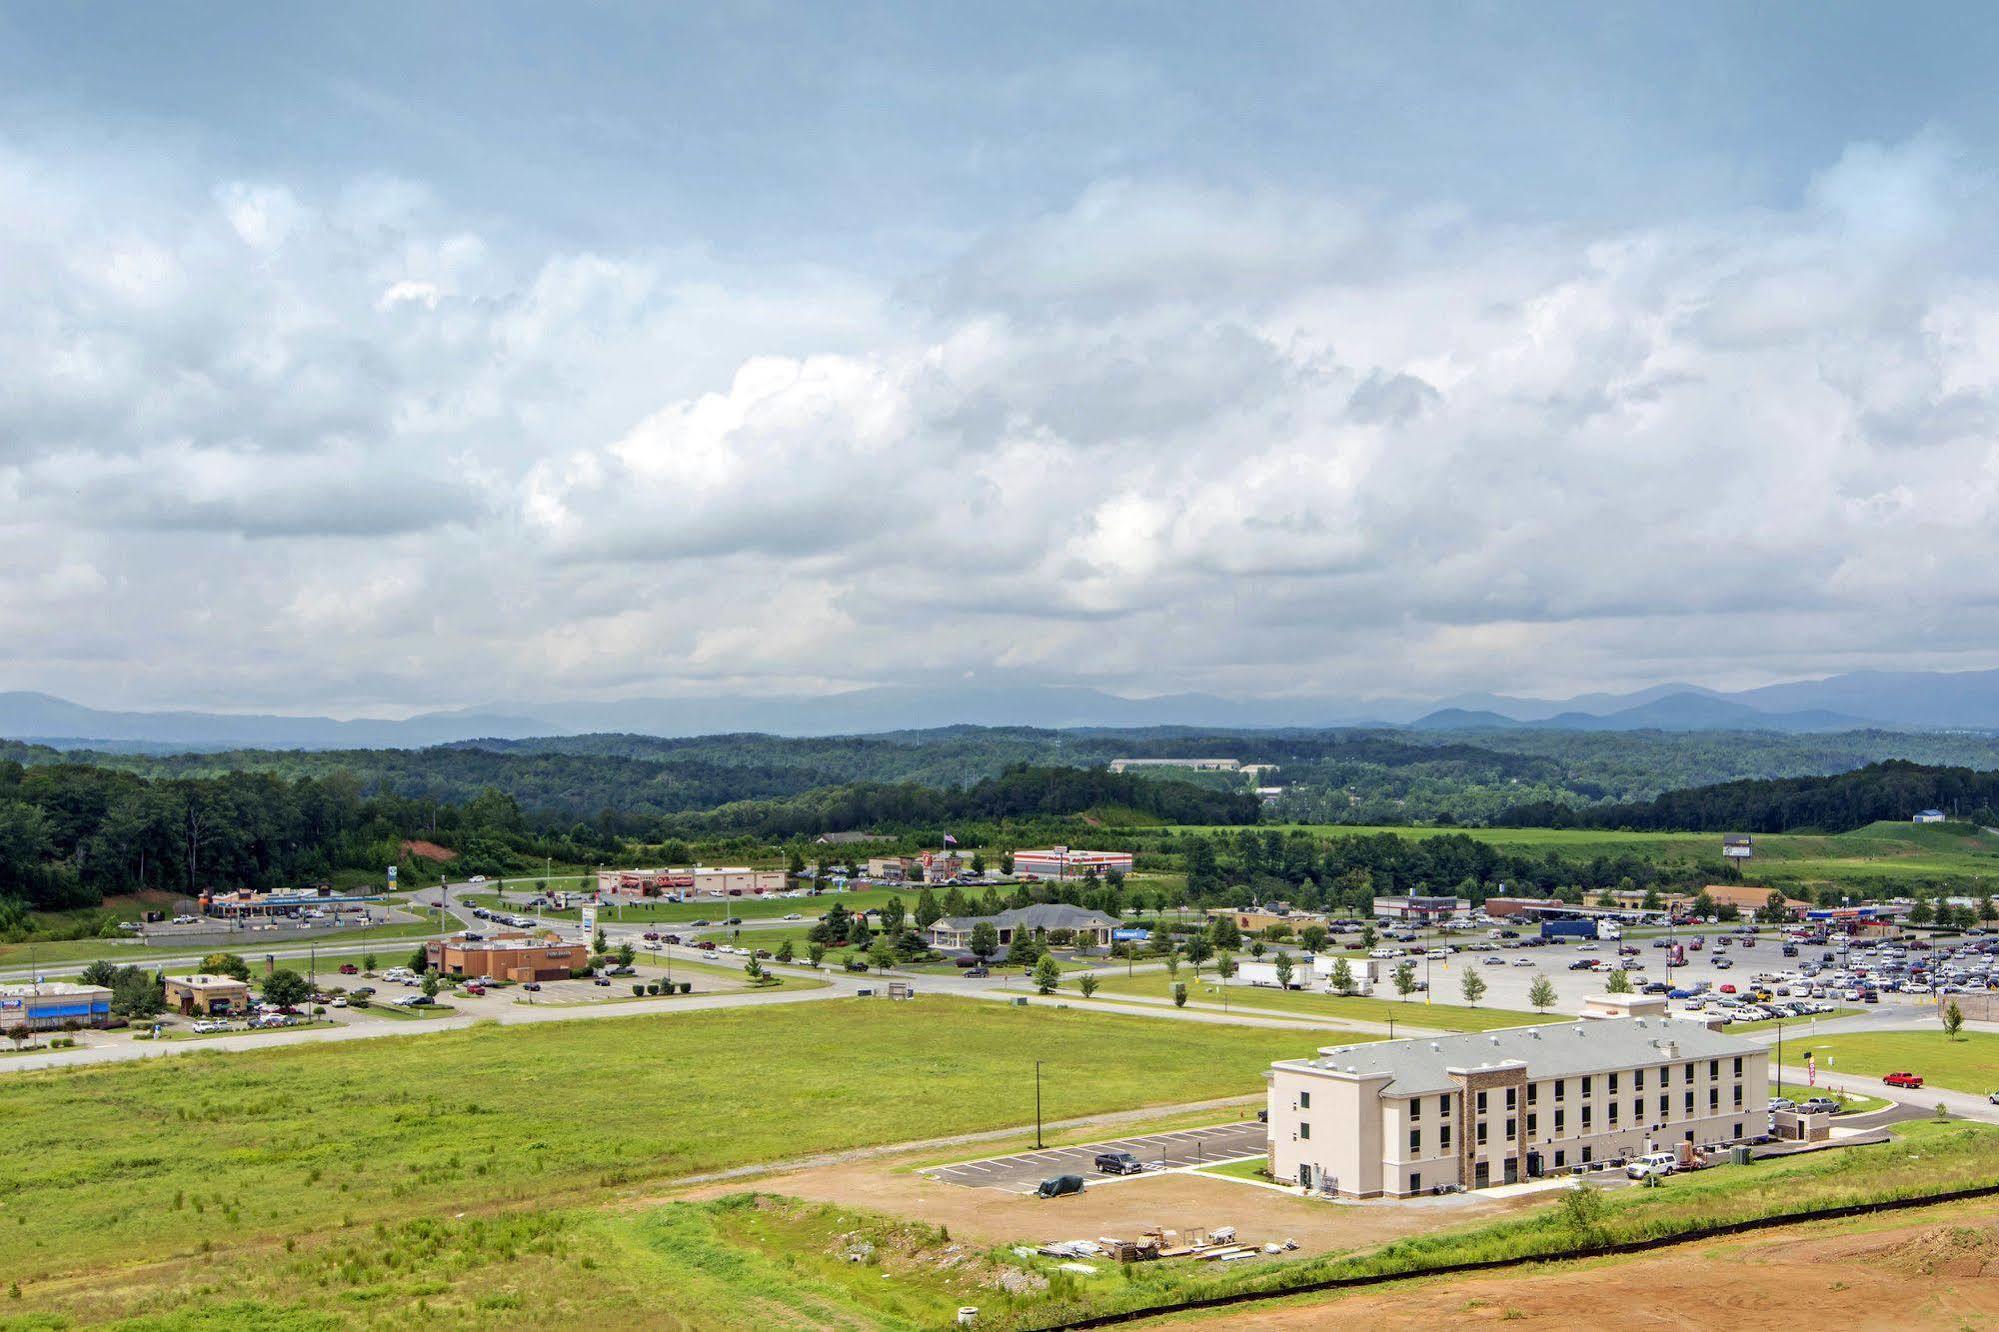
(1172,437)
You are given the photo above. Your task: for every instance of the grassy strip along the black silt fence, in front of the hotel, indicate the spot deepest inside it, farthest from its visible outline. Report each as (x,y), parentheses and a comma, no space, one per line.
(1924,1161)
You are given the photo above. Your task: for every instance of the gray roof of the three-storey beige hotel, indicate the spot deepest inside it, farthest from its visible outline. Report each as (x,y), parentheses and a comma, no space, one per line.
(1558,1051)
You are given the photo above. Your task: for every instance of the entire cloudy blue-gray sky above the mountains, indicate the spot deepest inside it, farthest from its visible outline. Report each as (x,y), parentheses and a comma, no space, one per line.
(381,357)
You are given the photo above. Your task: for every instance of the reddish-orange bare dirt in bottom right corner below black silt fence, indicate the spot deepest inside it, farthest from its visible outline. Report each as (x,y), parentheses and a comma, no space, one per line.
(1780,1283)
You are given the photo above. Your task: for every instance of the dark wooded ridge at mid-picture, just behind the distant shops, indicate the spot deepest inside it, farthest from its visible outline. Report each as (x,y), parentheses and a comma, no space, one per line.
(1014,795)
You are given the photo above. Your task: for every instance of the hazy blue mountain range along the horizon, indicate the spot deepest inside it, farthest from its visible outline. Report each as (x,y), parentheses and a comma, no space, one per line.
(1890,701)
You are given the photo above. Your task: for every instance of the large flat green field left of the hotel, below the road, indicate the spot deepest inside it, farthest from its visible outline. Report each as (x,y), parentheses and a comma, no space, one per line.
(119,1165)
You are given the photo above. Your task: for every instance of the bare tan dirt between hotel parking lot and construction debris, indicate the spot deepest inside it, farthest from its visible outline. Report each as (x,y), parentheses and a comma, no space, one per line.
(1182,1203)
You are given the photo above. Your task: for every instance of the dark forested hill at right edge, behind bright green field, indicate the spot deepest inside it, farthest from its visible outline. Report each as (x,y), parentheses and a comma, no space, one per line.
(1888,791)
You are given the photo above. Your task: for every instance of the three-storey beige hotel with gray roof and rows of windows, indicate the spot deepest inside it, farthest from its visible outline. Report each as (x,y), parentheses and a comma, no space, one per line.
(1404,1117)
